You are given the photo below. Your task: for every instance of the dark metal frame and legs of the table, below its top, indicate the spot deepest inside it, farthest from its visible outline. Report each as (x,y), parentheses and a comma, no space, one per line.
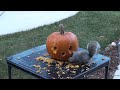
(81,75)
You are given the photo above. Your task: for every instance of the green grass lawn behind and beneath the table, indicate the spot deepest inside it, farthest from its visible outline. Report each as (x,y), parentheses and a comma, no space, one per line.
(103,26)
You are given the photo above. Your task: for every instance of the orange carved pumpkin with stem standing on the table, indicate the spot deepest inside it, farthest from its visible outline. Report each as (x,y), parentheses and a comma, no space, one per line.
(60,45)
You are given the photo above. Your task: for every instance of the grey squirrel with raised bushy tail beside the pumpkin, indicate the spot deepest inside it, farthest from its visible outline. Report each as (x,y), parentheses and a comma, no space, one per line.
(85,56)
